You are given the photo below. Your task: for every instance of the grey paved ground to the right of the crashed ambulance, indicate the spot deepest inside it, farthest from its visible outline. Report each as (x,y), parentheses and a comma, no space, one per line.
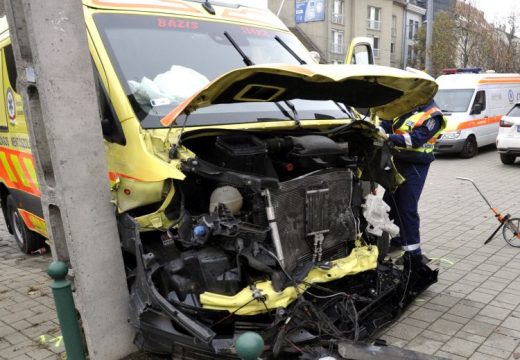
(473,312)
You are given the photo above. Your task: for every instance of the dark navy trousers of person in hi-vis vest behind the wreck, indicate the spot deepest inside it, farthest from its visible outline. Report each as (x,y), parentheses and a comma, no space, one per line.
(404,204)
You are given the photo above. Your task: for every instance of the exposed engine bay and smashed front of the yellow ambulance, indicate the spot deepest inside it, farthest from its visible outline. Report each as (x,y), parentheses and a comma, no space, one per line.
(268,228)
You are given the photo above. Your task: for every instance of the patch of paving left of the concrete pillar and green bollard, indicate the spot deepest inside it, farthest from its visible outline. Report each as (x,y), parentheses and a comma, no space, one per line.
(28,325)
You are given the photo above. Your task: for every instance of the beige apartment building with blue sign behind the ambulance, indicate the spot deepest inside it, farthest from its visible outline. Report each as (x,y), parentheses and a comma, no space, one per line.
(327,26)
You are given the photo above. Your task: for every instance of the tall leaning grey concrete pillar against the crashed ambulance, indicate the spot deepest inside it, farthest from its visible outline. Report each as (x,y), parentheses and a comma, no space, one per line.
(56,80)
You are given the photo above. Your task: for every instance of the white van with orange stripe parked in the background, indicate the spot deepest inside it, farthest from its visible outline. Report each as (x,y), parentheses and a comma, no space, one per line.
(474,105)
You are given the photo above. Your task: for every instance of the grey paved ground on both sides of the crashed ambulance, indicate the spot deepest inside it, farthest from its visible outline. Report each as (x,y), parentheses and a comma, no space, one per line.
(473,312)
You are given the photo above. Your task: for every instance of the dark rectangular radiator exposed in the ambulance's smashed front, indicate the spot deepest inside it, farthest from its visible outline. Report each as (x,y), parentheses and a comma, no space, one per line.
(316,206)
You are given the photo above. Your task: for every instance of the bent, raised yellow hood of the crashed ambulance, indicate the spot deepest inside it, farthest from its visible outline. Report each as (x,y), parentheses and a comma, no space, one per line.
(388,91)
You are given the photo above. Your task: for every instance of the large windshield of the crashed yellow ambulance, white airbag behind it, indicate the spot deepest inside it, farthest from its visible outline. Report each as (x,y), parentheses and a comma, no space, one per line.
(161,61)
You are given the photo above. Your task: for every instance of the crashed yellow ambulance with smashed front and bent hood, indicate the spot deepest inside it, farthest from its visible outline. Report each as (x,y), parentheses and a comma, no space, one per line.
(239,171)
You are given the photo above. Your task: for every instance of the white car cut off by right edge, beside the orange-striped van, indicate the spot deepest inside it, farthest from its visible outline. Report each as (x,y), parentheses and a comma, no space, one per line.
(508,139)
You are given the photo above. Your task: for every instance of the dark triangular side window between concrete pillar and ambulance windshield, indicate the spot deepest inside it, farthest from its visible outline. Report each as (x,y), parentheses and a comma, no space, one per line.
(110,125)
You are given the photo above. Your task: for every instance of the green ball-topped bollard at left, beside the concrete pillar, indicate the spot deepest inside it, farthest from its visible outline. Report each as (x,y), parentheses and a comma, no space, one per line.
(66,310)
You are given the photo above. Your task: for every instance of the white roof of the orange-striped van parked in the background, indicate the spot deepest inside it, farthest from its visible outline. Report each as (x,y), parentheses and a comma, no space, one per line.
(469,81)
